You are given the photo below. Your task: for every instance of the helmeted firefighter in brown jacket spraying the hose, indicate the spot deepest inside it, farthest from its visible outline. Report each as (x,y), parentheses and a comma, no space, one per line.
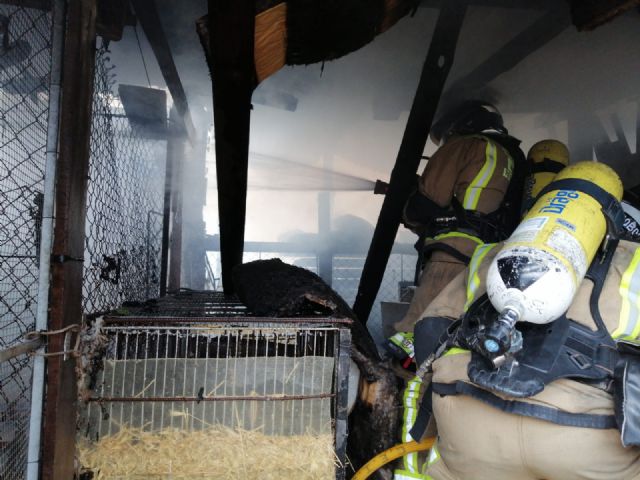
(465,196)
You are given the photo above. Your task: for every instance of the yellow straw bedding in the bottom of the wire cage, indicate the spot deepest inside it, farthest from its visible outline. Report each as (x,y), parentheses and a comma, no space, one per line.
(214,453)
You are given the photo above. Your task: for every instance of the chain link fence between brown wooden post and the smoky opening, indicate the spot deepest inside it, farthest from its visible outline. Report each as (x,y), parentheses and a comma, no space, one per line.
(124,202)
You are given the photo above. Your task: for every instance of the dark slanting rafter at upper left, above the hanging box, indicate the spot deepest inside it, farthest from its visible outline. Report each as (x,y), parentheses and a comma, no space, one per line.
(149,19)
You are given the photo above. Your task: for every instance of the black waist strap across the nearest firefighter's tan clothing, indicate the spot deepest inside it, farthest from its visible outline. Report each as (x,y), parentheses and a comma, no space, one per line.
(525,409)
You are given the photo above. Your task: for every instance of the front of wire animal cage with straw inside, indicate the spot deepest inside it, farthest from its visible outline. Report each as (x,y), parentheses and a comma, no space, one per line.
(256,400)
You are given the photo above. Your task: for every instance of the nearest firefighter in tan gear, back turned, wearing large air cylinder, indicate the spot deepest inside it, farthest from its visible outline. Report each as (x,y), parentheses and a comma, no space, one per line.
(561,400)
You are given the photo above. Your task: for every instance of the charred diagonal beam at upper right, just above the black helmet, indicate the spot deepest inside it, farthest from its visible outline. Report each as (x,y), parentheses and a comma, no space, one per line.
(531,39)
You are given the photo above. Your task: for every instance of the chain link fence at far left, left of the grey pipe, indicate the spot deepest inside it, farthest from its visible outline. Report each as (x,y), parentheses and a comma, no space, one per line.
(25,63)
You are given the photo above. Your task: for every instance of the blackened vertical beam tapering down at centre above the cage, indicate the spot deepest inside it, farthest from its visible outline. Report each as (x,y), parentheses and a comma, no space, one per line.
(231,23)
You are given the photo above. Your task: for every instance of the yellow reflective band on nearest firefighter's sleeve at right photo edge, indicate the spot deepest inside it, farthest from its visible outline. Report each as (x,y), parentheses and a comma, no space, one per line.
(629,323)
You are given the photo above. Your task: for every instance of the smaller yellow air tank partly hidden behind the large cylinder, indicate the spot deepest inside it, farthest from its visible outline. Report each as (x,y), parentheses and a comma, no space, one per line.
(544,160)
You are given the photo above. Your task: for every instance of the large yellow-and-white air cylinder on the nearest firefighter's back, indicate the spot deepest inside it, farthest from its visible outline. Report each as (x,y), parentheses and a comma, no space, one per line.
(538,271)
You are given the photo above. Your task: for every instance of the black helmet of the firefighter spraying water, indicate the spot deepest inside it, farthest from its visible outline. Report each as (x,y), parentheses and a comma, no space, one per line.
(471,116)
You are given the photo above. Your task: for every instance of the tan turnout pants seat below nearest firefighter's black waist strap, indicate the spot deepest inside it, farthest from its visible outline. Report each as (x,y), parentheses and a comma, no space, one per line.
(480,442)
